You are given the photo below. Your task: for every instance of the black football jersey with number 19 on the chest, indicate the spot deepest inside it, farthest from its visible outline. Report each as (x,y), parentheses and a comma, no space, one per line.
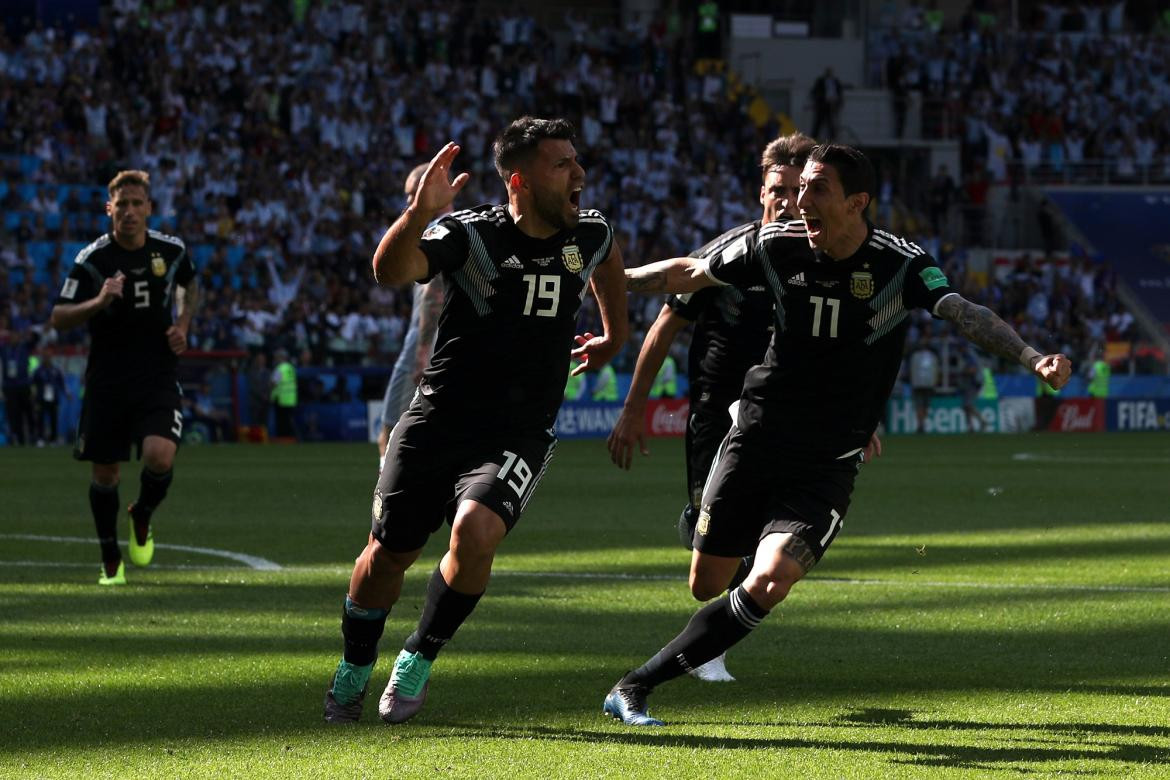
(501,353)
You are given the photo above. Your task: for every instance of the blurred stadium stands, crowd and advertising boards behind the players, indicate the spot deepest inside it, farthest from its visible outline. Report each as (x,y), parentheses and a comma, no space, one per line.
(1026,144)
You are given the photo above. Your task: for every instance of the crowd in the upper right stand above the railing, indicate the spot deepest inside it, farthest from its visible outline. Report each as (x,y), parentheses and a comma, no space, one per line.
(1080,92)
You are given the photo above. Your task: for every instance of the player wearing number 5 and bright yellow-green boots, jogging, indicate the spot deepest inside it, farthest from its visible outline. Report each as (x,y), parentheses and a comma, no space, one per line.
(137,292)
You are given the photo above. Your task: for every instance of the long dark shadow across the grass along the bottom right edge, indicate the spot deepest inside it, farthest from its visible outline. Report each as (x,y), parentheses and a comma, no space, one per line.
(930,755)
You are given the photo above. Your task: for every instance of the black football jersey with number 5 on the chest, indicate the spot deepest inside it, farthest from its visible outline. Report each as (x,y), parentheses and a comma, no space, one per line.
(128,340)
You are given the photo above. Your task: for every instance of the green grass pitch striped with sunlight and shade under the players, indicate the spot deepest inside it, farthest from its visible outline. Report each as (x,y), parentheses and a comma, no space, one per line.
(996,608)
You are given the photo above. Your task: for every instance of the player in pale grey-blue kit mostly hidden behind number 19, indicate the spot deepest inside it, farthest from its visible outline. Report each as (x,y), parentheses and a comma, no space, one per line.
(417,347)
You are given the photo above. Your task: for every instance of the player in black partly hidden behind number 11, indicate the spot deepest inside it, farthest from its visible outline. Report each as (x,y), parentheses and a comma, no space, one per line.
(733,329)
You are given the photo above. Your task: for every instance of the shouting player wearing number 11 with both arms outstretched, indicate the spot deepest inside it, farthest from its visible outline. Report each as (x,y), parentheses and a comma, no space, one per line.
(782,481)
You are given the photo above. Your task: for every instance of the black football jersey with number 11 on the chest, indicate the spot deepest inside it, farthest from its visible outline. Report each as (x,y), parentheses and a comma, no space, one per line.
(842,329)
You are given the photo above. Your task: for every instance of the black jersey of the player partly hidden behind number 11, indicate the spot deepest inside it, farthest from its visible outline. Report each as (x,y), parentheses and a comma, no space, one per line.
(733,328)
